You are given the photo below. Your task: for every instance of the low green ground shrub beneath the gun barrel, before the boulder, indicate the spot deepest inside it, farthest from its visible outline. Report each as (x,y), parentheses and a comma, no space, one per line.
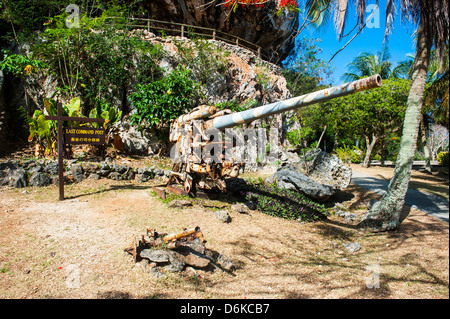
(279,202)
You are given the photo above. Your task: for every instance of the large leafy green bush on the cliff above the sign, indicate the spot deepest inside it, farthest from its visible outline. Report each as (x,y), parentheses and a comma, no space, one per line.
(98,60)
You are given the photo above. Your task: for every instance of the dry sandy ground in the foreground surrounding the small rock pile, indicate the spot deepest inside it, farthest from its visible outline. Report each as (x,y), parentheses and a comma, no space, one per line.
(74,249)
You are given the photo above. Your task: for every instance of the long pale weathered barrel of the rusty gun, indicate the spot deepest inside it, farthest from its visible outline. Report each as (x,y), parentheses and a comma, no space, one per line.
(230,120)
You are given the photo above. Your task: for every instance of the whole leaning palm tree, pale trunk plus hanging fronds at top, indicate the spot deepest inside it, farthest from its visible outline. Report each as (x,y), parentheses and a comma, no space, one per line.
(432,19)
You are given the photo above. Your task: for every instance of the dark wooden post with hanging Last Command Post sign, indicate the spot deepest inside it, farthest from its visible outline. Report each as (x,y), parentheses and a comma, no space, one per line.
(74,135)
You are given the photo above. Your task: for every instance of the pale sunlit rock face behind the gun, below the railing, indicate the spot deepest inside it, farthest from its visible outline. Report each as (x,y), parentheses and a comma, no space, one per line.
(246,80)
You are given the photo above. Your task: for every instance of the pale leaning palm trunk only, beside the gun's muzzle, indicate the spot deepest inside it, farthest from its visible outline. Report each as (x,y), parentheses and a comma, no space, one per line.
(386,214)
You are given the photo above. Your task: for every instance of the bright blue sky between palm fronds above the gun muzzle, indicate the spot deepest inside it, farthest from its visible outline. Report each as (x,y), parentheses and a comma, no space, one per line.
(400,41)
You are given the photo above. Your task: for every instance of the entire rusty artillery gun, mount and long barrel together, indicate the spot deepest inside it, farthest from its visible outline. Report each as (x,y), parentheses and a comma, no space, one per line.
(189,132)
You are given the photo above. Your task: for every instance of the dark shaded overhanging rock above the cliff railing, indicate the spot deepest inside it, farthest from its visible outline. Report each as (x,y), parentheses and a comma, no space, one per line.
(261,26)
